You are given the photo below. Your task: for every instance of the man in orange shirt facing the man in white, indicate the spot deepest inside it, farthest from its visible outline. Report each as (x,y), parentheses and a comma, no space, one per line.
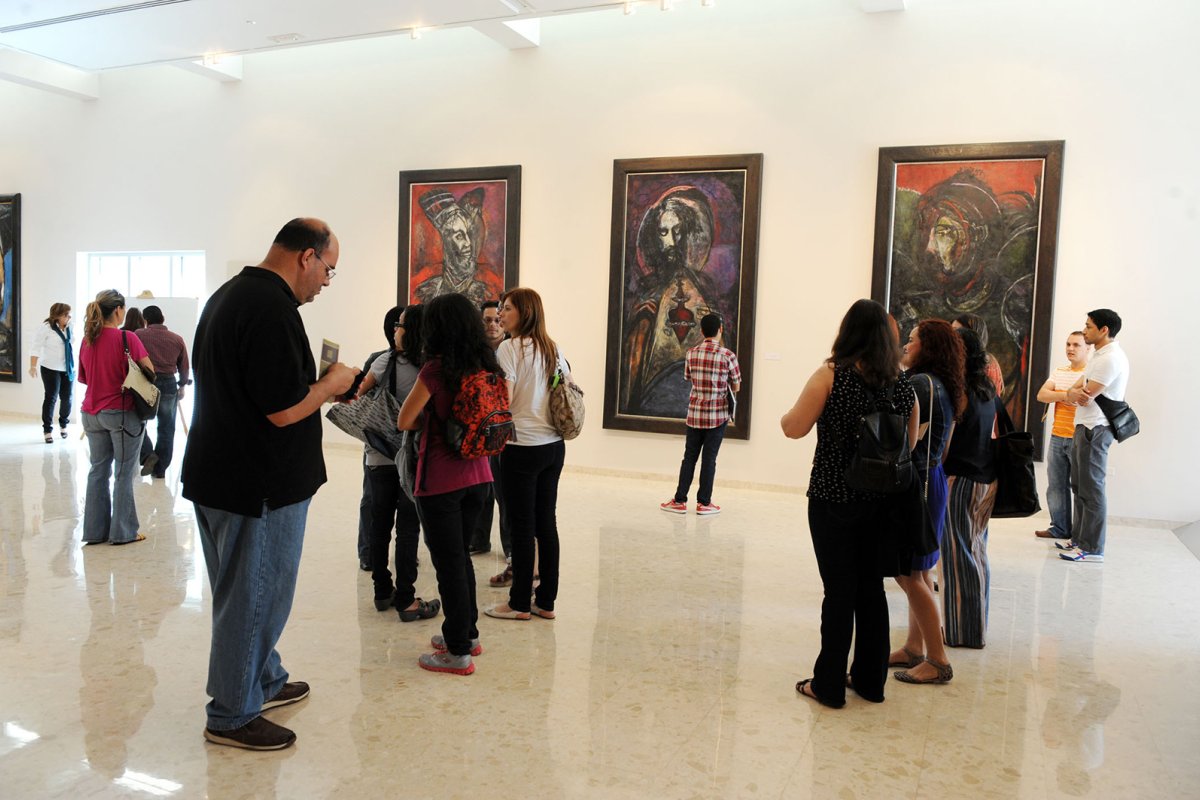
(1063,432)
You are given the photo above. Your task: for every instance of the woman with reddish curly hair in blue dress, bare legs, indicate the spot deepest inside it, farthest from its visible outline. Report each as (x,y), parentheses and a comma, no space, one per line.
(934,358)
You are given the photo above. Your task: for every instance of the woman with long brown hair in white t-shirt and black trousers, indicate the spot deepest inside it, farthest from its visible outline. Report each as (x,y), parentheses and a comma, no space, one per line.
(533,462)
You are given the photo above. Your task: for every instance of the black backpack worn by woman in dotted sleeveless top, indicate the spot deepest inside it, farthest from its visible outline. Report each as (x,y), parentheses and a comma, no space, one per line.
(883,461)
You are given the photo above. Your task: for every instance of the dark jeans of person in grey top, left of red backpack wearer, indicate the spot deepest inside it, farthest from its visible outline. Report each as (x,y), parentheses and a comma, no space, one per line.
(391,507)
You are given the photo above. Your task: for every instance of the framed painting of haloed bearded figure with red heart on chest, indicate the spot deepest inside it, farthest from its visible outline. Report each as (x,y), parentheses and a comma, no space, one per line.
(685,245)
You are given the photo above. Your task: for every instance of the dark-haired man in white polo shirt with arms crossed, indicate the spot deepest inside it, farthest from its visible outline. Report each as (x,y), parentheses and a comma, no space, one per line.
(1107,374)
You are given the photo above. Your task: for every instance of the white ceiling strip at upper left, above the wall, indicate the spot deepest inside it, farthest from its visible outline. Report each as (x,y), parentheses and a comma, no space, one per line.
(103,35)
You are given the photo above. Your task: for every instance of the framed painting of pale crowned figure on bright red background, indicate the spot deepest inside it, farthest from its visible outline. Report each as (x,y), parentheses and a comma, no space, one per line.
(460,232)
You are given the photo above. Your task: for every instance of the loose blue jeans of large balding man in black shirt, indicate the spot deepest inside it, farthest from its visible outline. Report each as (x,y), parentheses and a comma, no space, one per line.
(253,572)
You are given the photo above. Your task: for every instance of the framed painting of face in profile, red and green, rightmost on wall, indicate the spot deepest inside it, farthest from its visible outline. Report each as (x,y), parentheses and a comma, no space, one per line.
(973,230)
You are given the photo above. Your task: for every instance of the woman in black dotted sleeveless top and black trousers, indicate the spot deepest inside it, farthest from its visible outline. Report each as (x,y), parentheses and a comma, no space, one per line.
(848,526)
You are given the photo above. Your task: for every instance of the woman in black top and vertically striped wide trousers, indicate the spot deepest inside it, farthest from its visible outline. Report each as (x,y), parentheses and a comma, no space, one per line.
(971,474)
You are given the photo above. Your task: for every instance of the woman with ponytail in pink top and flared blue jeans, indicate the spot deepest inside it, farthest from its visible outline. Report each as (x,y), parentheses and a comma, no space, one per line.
(115,431)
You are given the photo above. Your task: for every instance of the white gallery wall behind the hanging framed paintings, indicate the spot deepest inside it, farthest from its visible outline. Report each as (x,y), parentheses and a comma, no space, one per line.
(167,160)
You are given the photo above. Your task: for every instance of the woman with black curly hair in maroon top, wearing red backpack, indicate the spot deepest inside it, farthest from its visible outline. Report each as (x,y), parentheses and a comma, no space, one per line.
(451,490)
